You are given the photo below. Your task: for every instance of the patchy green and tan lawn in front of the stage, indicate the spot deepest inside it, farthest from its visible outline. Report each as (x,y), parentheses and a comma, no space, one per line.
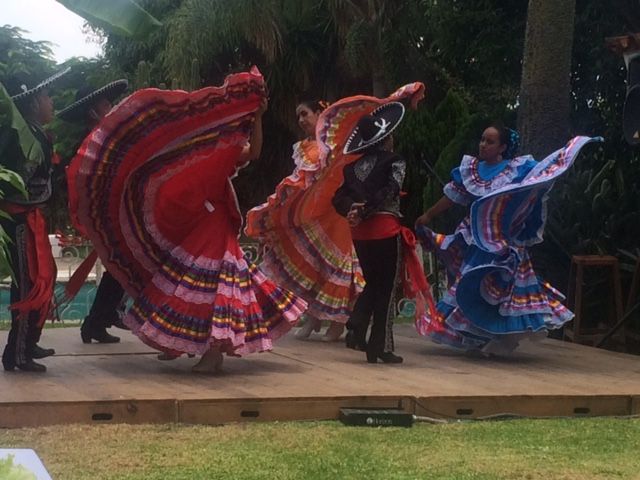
(521,449)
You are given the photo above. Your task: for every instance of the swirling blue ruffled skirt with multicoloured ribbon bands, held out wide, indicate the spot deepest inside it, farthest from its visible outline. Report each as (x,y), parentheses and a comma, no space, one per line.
(494,298)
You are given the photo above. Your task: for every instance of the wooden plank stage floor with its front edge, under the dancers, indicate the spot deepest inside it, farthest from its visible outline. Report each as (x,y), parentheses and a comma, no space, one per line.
(304,380)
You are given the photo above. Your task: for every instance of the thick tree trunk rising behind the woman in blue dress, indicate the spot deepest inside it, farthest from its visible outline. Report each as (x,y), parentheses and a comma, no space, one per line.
(544,112)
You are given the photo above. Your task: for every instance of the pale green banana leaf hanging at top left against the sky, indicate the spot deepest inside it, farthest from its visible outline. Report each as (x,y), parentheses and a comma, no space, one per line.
(121,17)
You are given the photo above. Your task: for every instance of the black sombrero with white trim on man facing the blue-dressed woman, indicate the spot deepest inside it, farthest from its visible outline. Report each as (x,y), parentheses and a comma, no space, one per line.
(375,127)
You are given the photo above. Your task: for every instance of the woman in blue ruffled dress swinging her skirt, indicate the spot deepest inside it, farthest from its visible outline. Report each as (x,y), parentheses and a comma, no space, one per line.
(494,298)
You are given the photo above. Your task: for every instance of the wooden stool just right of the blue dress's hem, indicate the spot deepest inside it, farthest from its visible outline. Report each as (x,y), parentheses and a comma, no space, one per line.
(577,333)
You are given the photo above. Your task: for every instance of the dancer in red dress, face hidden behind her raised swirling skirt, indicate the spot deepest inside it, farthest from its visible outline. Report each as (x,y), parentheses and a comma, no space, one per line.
(156,199)
